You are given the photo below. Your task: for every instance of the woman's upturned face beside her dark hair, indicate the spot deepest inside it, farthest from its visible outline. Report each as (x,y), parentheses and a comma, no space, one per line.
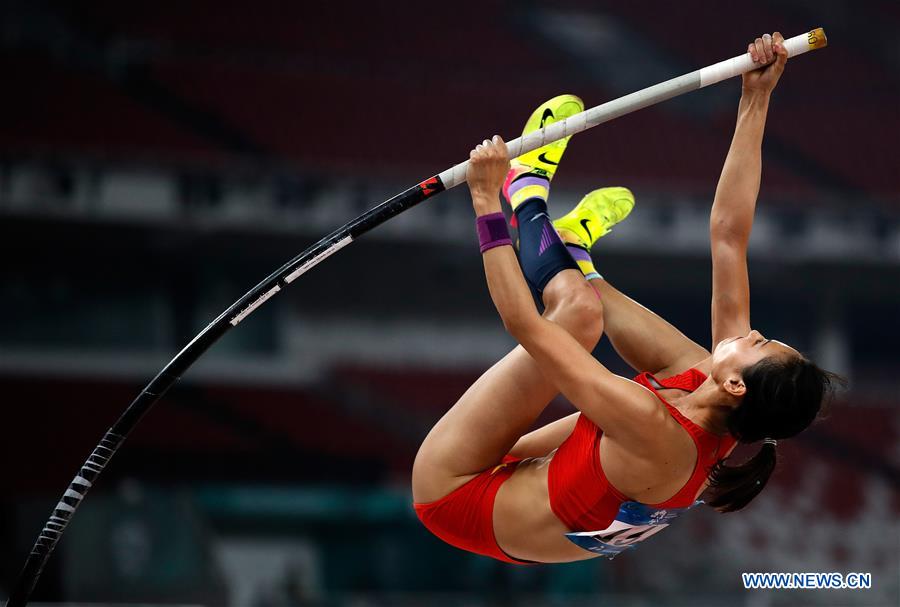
(731,356)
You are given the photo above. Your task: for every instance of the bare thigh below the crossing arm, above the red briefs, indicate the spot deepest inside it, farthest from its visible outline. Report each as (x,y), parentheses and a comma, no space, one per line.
(482,426)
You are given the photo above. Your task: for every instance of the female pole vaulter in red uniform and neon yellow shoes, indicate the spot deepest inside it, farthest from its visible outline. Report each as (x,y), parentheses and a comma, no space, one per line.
(638,452)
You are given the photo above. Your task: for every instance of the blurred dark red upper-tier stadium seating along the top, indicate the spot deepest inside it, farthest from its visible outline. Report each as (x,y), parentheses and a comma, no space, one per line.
(268,72)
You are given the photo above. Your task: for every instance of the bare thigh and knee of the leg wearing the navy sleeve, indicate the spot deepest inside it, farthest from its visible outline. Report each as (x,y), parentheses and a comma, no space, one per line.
(503,403)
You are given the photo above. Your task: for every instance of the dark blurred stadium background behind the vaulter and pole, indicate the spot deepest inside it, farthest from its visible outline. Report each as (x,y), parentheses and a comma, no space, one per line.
(158,159)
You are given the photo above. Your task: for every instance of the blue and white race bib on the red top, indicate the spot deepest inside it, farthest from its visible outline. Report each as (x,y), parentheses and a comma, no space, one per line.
(634,523)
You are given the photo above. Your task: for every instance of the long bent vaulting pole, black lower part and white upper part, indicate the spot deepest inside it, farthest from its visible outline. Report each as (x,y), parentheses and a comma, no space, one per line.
(326,247)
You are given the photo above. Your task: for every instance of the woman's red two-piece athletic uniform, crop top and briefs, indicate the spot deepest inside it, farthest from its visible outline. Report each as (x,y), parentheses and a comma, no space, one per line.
(601,518)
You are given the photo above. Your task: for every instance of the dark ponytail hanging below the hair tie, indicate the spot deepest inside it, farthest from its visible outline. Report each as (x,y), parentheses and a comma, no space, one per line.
(732,487)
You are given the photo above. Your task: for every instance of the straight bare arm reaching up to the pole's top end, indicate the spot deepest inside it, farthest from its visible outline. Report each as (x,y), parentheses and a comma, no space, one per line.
(731,218)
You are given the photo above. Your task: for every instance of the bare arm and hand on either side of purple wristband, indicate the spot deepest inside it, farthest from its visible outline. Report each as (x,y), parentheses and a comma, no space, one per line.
(624,409)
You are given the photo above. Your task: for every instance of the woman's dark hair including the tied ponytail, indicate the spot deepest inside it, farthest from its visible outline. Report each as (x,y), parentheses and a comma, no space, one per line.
(783,397)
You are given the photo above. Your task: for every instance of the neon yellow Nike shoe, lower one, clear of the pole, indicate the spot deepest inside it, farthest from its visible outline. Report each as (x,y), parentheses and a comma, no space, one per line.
(595,215)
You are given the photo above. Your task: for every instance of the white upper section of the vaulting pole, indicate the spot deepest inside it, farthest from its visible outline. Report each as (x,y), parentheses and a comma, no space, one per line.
(717,72)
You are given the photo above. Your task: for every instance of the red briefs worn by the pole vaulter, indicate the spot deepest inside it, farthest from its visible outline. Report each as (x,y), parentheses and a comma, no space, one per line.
(465,517)
